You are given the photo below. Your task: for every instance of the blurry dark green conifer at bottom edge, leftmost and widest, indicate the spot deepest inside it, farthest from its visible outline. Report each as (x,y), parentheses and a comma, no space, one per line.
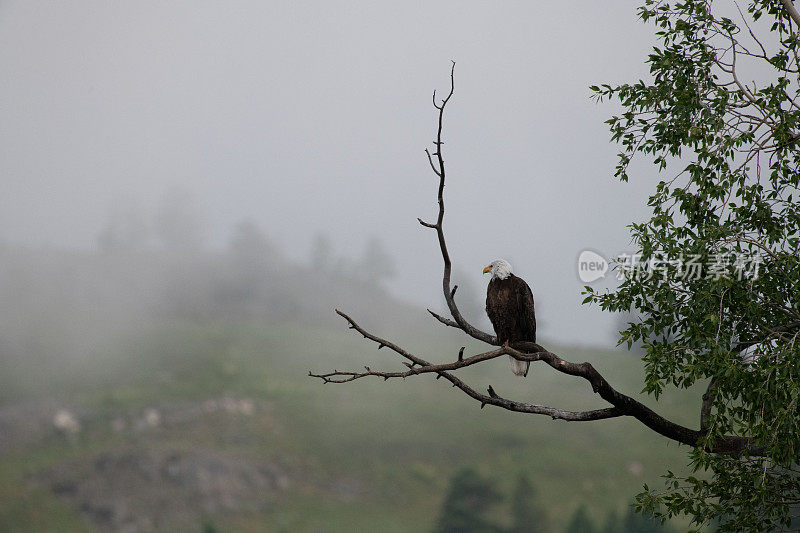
(468,503)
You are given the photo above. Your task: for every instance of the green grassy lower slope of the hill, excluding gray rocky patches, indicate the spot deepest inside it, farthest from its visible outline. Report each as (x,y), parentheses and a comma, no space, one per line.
(367,455)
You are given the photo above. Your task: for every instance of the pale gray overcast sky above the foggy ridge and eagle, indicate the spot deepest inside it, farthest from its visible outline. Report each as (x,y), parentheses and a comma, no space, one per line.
(306,116)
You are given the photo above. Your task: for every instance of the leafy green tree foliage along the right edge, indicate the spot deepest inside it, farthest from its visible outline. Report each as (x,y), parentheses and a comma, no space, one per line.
(720,119)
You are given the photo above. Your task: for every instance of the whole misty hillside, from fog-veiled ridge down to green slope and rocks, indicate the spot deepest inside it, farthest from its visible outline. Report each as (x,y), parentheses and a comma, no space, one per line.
(153,388)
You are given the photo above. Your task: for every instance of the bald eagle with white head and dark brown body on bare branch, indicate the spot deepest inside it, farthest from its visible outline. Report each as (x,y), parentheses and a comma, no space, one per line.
(509,304)
